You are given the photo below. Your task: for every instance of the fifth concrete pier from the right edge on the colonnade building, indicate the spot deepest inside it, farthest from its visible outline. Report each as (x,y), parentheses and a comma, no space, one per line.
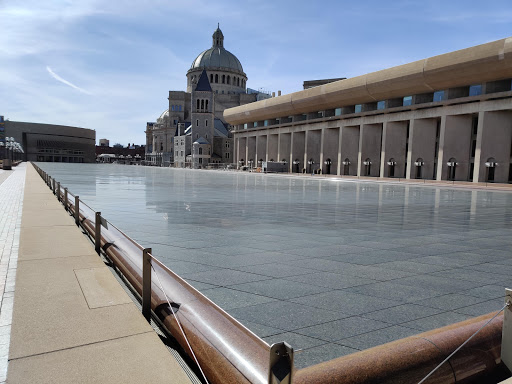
(370,148)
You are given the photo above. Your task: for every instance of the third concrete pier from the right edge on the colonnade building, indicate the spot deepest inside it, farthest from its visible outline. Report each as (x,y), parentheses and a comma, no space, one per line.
(422,145)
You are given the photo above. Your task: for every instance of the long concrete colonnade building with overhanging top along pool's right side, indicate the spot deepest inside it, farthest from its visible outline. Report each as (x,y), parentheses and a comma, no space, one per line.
(448,117)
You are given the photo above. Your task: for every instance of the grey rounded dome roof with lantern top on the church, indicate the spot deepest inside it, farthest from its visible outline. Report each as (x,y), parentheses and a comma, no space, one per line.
(217,56)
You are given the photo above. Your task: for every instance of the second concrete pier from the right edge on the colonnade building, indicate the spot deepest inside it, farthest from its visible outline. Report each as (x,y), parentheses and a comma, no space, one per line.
(457,145)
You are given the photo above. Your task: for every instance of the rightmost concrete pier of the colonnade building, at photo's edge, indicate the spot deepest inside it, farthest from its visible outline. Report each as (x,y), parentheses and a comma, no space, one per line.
(494,138)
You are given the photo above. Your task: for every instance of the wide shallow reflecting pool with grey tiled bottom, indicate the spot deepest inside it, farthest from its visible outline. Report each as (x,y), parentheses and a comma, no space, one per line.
(331,266)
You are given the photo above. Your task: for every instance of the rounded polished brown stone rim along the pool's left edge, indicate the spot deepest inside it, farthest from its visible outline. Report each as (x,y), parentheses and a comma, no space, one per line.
(225,349)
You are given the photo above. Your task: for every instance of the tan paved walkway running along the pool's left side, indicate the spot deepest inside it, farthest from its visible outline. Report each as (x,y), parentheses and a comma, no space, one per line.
(72,321)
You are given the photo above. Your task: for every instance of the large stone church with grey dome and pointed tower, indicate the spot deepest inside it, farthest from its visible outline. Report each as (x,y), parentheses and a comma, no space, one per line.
(192,131)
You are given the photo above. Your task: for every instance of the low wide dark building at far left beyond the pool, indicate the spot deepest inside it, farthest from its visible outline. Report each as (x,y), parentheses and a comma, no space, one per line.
(53,143)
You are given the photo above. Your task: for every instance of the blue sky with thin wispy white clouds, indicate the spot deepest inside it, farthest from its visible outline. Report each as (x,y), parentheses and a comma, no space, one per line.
(108,65)
